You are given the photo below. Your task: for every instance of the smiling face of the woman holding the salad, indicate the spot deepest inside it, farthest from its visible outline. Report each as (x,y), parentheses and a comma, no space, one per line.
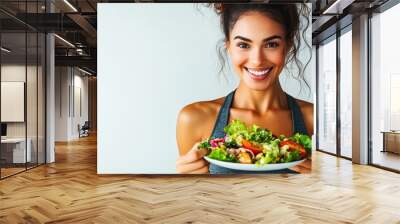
(257,49)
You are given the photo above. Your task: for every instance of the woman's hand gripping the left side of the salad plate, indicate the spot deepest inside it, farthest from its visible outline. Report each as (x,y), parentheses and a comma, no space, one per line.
(193,162)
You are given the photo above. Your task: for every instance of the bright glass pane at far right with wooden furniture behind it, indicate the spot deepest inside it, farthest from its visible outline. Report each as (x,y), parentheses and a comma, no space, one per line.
(385,89)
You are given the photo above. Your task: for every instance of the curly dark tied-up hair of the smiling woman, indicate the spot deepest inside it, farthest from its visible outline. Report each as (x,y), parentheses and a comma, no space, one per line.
(288,15)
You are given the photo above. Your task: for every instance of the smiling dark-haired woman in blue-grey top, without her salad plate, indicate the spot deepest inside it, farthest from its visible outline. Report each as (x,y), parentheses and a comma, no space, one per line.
(260,40)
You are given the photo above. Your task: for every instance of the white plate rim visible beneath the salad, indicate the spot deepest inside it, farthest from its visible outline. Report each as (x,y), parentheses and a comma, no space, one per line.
(253,167)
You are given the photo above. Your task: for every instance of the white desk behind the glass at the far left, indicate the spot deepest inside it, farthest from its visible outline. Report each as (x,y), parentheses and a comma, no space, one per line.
(15,148)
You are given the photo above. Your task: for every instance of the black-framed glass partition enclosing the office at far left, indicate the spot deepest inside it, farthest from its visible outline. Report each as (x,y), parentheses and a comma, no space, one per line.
(22,88)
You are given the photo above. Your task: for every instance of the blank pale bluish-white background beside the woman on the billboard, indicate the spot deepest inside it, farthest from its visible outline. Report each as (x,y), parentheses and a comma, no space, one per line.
(149,67)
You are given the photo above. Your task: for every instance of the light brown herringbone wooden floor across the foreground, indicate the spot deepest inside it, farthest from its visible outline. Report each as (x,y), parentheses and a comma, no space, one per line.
(70,191)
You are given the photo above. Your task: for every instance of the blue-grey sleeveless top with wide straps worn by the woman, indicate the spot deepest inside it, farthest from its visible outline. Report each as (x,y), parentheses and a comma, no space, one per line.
(223,119)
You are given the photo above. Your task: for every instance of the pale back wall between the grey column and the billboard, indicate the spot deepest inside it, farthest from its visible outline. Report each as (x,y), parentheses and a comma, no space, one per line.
(67,84)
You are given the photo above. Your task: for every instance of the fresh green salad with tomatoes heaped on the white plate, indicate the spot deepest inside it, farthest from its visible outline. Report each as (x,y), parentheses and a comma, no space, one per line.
(255,145)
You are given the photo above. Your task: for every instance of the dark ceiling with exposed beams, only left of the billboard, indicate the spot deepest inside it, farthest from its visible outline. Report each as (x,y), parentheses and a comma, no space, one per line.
(77,25)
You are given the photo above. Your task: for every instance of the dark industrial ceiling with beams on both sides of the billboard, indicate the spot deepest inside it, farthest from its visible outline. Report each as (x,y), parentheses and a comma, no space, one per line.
(76,22)
